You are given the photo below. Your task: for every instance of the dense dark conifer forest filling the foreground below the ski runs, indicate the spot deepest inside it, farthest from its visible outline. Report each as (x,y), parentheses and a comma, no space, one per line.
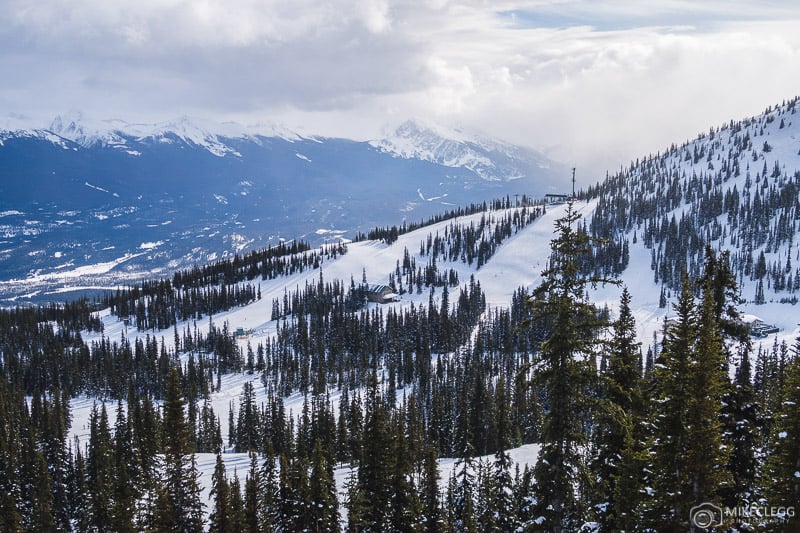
(627,440)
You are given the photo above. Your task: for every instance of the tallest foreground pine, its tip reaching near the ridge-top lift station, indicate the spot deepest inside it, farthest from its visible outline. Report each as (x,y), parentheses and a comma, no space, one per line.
(566,370)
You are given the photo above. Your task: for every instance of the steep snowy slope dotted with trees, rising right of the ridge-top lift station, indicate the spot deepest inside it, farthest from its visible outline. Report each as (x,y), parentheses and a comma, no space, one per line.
(736,188)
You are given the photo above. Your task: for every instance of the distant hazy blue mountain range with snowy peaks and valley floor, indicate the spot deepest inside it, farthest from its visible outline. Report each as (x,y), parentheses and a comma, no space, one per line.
(115,201)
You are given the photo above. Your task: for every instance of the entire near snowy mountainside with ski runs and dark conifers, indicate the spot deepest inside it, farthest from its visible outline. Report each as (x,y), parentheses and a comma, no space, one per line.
(502,336)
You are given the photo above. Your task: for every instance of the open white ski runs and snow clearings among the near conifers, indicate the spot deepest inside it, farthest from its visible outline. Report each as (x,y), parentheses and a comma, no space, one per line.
(517,263)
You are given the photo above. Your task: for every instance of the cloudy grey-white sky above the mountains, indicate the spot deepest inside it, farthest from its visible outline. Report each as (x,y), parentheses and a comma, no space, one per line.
(591,83)
